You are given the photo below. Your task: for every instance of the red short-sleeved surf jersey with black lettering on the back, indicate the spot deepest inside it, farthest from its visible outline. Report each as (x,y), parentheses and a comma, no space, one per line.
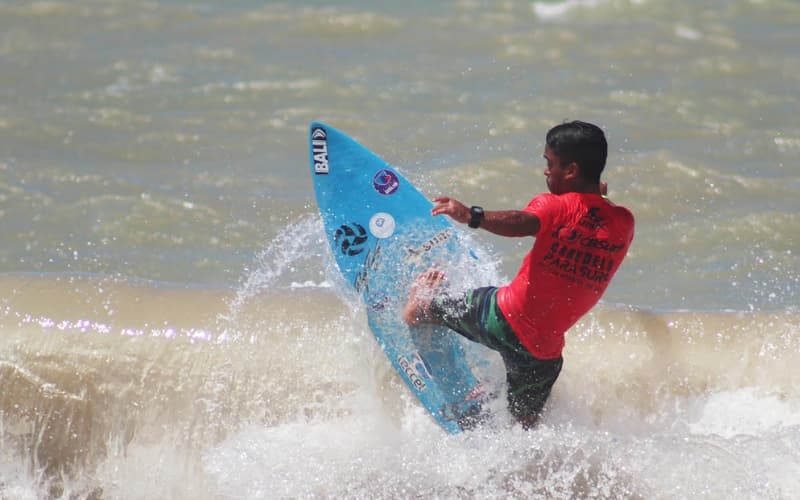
(580,245)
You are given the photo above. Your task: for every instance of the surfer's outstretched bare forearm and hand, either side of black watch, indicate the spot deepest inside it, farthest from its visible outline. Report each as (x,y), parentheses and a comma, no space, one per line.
(500,222)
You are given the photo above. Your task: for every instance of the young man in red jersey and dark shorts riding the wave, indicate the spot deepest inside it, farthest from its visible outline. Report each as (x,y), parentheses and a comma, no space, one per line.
(581,239)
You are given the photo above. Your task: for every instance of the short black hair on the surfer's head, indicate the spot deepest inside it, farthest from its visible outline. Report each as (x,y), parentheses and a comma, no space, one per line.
(583,143)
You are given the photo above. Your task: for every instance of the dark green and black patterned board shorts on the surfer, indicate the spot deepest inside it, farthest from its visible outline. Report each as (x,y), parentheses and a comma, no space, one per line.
(476,316)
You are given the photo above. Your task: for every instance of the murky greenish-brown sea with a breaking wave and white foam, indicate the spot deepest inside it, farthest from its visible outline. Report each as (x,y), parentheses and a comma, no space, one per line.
(173,326)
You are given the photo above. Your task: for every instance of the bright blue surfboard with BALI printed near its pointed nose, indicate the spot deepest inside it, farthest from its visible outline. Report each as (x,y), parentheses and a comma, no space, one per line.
(383,236)
